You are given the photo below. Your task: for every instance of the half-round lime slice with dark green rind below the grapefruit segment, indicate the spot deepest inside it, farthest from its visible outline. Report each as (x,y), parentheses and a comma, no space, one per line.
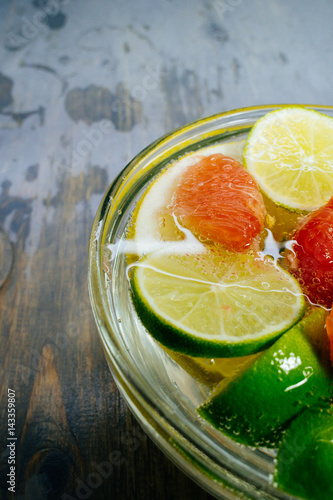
(214,304)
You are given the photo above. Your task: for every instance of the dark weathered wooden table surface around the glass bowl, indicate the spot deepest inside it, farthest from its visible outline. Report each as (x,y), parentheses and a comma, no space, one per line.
(84,86)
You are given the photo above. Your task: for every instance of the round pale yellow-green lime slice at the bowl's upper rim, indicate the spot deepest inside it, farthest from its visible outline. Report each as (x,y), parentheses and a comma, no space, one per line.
(290,154)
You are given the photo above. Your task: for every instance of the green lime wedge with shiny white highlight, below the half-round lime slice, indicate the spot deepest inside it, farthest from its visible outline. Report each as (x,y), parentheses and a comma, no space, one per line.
(255,407)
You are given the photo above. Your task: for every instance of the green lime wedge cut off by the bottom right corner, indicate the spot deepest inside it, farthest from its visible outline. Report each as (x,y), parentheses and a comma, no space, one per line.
(305,458)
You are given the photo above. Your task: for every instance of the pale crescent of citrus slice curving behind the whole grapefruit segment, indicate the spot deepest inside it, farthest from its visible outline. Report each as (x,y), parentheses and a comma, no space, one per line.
(151,226)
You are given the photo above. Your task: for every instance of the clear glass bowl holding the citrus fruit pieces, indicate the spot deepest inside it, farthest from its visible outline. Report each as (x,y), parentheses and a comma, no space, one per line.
(160,393)
